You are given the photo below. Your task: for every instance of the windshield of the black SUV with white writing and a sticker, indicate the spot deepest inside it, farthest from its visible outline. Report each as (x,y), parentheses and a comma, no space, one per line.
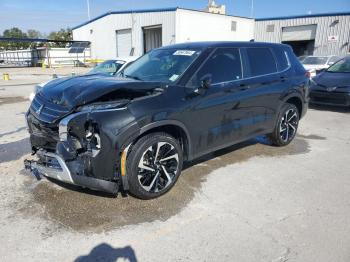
(163,65)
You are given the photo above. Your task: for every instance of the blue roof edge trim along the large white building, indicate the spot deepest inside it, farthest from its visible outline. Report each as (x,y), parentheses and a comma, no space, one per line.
(169,9)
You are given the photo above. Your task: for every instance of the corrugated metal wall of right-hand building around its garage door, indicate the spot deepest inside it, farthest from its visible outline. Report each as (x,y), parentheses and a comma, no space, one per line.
(326,27)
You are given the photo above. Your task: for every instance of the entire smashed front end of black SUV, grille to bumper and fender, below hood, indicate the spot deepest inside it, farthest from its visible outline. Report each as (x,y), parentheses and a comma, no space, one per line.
(82,145)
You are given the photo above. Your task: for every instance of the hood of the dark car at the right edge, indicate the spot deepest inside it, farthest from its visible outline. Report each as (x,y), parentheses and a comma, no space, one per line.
(328,79)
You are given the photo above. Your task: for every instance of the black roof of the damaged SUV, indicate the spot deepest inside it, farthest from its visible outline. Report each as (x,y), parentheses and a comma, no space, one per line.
(206,44)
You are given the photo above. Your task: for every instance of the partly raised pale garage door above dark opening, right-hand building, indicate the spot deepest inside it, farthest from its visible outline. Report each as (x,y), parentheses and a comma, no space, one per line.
(298,33)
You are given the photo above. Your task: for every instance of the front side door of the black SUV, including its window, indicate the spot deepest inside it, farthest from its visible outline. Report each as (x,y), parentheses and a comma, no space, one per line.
(215,114)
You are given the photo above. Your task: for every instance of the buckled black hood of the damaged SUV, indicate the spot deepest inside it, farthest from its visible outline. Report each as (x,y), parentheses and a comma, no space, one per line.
(80,90)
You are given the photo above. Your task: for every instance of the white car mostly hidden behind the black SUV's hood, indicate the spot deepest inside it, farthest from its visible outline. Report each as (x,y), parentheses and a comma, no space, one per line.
(108,67)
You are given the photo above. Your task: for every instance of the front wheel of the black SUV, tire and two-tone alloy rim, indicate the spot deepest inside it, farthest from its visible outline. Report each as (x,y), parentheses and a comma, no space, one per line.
(153,165)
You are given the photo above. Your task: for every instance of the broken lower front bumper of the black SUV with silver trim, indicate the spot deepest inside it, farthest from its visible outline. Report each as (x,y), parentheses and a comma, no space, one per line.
(53,166)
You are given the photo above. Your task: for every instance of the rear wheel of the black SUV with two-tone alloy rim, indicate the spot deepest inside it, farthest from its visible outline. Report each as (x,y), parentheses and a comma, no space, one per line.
(286,125)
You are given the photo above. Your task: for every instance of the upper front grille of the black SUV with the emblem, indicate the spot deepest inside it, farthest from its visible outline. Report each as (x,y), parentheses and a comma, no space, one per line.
(47,111)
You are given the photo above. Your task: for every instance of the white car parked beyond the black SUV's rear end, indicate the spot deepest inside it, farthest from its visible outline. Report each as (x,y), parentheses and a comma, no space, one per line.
(313,64)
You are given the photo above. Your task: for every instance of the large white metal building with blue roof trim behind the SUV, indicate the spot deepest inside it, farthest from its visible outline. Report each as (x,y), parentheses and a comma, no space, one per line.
(124,33)
